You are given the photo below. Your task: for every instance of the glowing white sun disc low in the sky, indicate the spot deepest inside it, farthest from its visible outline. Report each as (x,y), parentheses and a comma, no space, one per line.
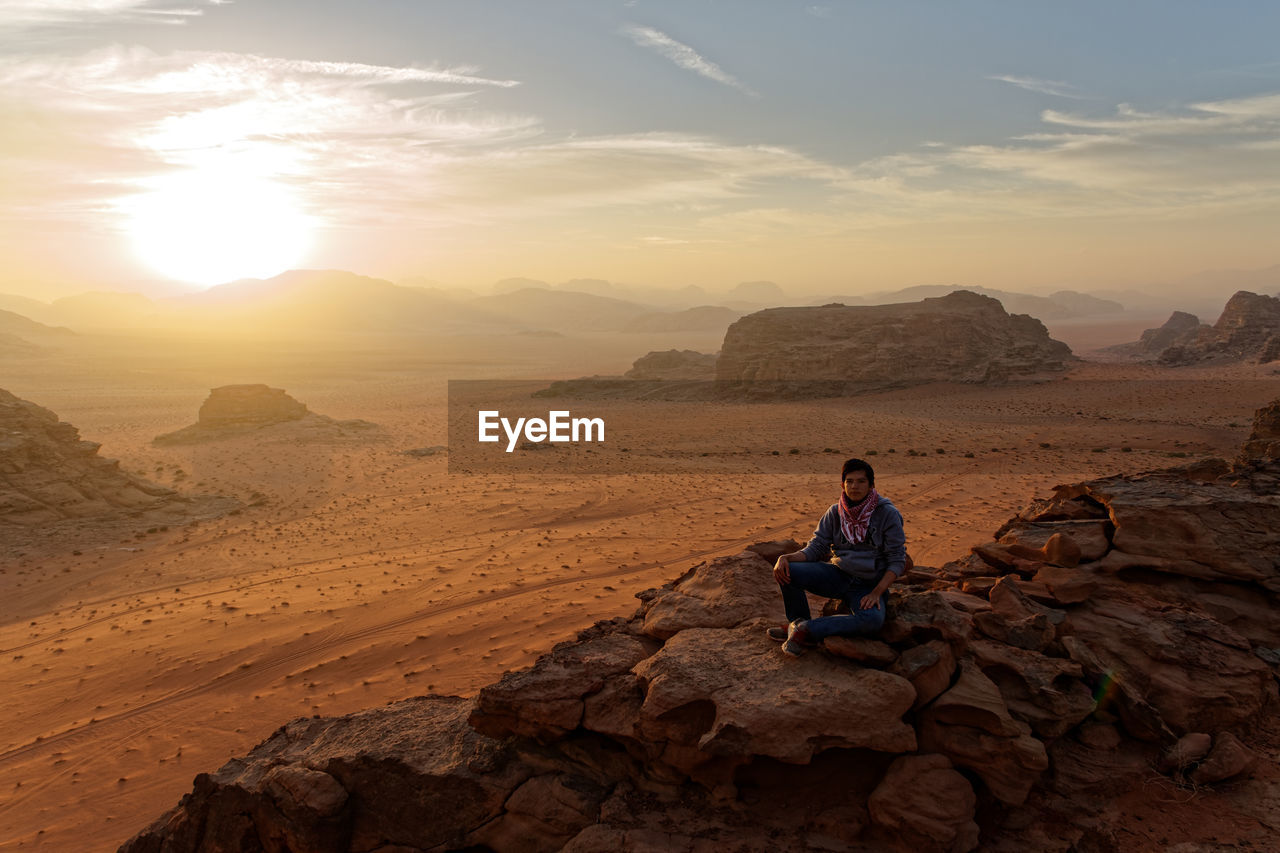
(208,227)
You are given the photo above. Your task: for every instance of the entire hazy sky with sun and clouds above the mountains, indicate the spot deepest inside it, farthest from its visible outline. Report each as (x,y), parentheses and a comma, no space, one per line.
(833,148)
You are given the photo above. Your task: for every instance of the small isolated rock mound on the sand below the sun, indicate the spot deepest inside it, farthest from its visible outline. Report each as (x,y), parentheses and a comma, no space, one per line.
(234,410)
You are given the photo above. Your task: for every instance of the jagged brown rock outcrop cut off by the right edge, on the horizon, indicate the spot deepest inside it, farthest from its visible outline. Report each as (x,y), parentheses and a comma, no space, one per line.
(1249,330)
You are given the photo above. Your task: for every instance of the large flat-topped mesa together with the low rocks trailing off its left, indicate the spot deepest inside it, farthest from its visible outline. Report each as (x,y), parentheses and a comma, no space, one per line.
(840,350)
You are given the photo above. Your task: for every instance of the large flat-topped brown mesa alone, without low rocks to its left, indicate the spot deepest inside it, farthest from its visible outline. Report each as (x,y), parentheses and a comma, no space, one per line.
(835,349)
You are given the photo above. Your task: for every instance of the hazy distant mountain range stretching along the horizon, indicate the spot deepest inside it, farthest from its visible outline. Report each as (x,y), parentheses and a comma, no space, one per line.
(340,302)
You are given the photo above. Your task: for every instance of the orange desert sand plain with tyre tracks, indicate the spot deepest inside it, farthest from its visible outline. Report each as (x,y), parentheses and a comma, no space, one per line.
(356,574)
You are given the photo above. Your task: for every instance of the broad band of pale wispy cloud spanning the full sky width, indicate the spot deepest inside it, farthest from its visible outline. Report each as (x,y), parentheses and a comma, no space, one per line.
(405,149)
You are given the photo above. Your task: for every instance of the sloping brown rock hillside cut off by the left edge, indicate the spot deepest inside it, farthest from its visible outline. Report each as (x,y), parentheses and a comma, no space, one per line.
(49,476)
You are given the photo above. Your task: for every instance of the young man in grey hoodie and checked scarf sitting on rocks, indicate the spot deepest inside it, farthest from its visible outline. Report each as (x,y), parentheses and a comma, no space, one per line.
(863,532)
